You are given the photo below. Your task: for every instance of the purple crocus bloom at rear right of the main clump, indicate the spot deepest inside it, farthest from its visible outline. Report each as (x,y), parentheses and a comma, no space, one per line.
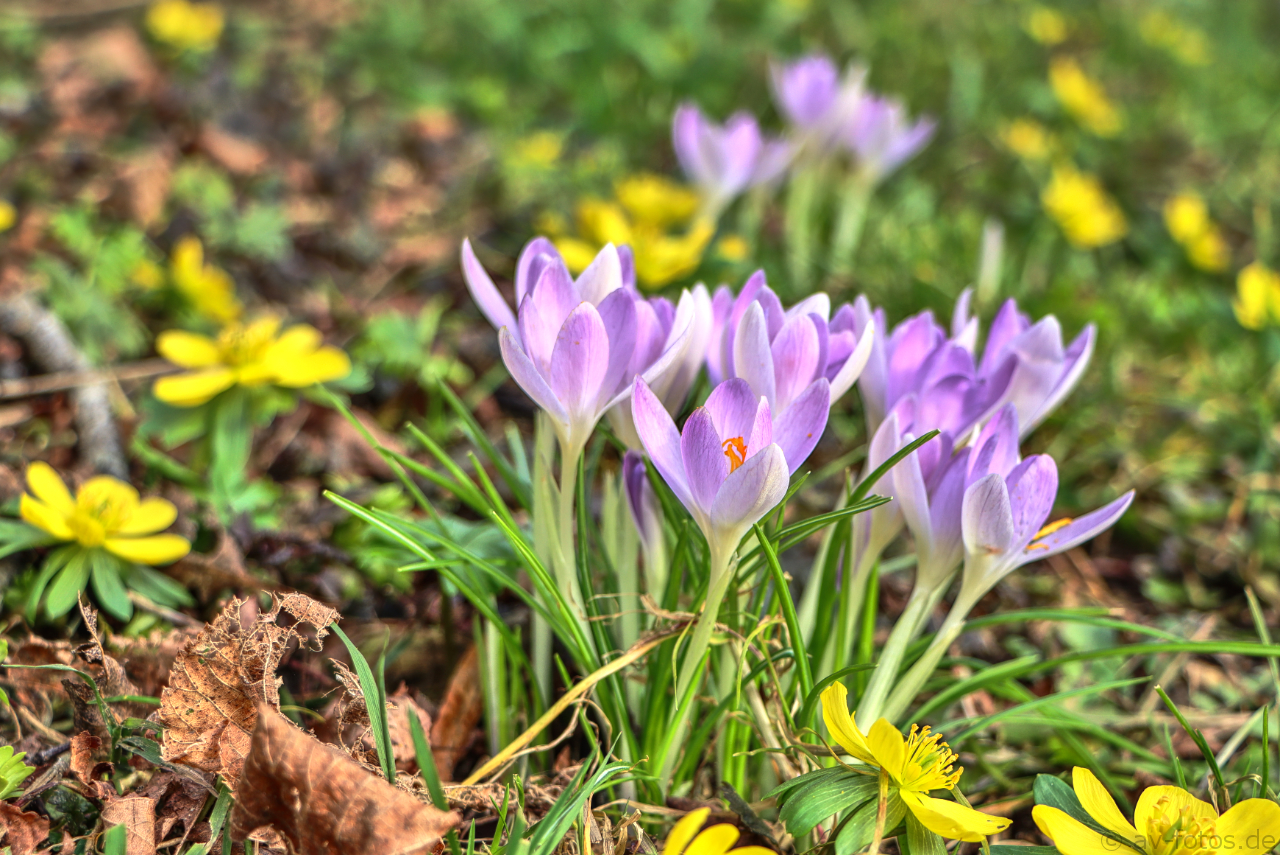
(1045,372)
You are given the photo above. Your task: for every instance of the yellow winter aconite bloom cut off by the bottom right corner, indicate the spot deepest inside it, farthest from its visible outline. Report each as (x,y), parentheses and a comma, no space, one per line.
(1168,821)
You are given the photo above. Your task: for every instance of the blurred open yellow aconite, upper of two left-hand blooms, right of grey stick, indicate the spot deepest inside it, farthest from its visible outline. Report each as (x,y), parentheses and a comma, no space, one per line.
(248,355)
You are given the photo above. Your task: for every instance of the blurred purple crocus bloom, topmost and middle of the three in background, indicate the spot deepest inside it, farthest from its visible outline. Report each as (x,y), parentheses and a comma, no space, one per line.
(815,99)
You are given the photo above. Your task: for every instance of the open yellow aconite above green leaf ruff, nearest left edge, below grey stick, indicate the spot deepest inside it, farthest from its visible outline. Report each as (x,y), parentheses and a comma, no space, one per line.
(106,513)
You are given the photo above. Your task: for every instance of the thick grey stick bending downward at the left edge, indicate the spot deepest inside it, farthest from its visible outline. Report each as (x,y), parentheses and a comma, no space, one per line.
(53,350)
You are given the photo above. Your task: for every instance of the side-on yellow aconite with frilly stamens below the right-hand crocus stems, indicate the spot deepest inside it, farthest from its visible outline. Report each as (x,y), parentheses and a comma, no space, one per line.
(916,765)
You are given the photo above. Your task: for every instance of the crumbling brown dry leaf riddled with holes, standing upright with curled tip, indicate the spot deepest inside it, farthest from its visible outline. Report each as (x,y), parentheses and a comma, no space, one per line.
(221,679)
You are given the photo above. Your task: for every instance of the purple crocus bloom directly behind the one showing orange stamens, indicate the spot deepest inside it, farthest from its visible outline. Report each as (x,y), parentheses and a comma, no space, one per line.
(798,360)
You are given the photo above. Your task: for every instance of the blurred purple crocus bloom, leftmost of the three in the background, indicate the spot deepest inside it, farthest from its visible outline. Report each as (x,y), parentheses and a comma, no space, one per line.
(726,159)
